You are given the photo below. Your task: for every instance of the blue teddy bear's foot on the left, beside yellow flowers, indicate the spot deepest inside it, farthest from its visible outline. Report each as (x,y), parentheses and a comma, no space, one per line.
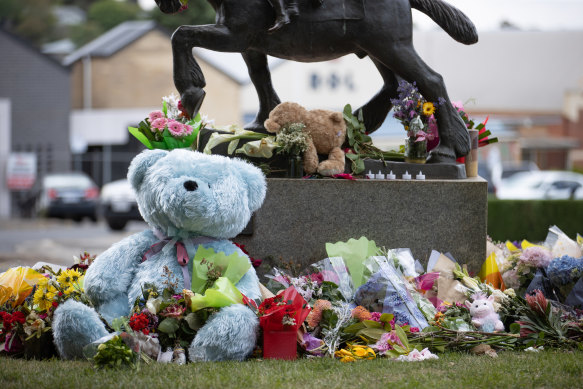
(75,325)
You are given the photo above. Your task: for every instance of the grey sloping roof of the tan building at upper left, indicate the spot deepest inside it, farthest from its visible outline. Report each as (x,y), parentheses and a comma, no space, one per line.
(112,41)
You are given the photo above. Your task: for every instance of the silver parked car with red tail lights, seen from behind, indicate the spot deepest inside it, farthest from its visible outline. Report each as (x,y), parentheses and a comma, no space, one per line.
(71,195)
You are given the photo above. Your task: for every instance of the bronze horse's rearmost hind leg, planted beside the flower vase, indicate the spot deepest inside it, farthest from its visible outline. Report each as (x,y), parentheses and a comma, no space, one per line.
(454,140)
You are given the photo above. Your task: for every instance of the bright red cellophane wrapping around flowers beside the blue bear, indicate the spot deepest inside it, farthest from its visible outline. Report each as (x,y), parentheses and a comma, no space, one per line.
(284,312)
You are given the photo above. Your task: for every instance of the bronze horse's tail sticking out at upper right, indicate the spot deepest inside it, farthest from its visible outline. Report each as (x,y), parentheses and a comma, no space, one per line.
(451,19)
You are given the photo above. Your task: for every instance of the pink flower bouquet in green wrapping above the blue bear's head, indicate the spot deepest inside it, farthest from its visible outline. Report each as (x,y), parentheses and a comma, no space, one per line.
(170,128)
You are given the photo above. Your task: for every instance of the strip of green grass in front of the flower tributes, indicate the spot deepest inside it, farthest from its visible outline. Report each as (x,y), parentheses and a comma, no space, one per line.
(549,369)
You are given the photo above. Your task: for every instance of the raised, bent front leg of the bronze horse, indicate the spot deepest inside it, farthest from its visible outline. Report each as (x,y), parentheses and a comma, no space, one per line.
(188,77)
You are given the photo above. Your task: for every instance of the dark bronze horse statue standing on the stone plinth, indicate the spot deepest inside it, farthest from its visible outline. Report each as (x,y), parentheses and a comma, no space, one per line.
(379,29)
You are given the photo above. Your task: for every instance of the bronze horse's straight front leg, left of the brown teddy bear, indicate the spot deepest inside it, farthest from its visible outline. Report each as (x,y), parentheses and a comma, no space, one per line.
(261,78)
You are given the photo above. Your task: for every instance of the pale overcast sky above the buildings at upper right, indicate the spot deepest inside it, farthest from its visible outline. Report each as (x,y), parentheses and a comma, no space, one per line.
(525,14)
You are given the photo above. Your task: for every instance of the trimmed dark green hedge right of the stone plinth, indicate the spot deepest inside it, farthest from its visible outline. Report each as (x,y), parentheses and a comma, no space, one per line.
(531,219)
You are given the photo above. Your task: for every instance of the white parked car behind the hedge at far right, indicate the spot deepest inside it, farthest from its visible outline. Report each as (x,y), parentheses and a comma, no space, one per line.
(542,185)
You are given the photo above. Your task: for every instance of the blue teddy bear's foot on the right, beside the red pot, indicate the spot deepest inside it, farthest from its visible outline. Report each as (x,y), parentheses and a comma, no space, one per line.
(230,334)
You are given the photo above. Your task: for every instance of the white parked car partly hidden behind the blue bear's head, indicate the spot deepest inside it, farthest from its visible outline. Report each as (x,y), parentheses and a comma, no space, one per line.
(118,204)
